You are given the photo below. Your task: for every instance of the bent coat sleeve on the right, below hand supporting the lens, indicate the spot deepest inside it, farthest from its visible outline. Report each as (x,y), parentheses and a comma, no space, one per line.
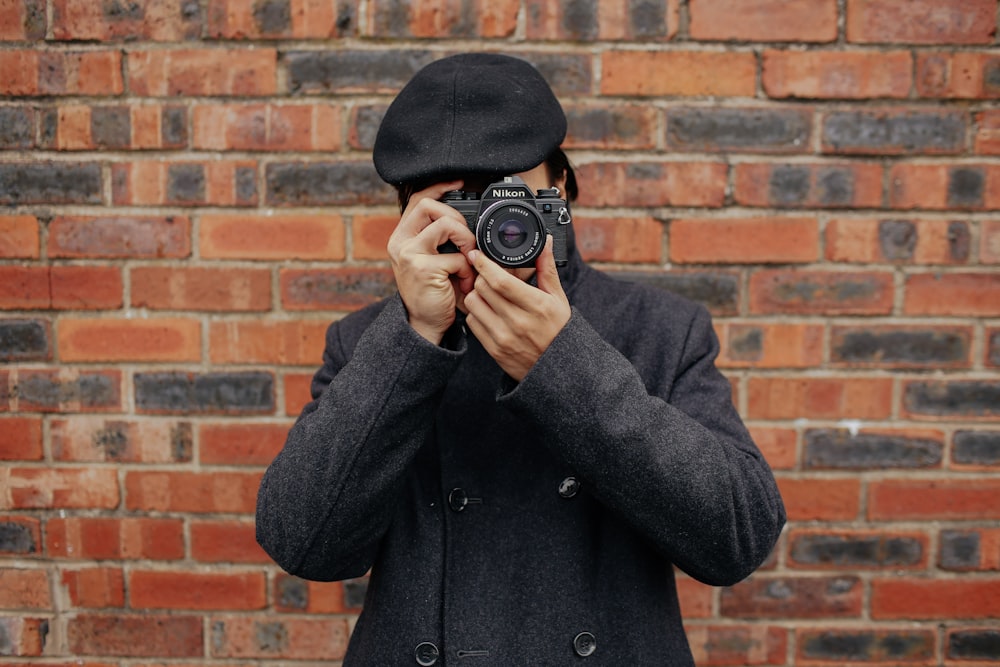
(669,454)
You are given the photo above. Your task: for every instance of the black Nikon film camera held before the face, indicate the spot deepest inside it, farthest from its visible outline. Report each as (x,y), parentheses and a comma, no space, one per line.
(510,223)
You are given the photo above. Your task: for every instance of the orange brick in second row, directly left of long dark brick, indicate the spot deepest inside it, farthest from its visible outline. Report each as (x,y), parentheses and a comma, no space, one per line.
(196,72)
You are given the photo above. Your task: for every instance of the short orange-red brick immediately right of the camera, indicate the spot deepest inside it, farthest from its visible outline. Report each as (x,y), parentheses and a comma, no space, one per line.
(632,239)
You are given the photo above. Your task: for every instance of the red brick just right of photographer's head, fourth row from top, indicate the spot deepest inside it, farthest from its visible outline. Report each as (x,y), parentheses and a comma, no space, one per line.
(650,184)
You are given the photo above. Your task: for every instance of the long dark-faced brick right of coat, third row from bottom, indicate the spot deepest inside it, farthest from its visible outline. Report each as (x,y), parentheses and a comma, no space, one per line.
(856,550)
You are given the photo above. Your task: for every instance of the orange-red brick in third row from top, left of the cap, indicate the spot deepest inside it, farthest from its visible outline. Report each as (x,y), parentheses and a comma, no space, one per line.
(267,127)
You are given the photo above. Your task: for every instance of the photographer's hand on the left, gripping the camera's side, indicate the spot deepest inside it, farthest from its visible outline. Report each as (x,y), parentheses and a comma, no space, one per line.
(430,283)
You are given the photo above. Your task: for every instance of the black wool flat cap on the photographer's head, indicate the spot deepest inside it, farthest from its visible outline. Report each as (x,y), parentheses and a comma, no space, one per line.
(473,113)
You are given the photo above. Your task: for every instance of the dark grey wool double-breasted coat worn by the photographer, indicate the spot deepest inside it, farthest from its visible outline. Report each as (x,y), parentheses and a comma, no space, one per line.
(532,523)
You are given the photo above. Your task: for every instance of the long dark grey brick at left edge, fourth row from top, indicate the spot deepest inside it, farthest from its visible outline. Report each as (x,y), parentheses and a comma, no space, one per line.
(50,183)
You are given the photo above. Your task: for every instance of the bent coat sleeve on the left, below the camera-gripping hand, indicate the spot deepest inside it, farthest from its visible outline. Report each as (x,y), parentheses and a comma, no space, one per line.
(327,498)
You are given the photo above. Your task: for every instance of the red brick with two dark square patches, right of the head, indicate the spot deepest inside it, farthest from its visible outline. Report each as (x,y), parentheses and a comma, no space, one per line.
(836,185)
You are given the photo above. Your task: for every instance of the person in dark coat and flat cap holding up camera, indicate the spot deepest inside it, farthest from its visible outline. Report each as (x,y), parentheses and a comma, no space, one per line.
(517,447)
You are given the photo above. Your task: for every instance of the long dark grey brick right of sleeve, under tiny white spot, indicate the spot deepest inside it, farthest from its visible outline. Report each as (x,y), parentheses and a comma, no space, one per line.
(839,449)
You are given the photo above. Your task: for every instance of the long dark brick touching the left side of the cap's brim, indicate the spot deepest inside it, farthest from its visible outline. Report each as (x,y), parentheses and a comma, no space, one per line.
(325,184)
